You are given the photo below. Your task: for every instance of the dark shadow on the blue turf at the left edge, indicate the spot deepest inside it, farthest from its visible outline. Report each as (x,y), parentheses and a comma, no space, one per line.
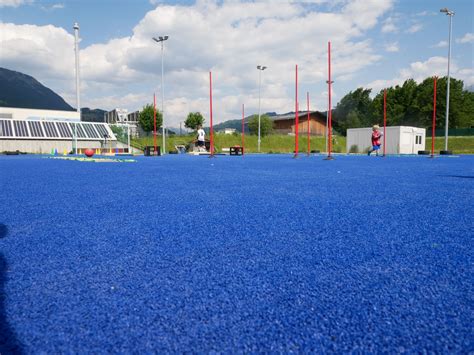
(9,343)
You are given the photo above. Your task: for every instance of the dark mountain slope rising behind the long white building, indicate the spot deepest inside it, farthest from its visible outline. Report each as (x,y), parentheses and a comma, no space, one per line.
(23,91)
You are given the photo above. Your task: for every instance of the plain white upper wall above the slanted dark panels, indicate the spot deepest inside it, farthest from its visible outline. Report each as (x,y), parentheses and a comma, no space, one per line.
(25,114)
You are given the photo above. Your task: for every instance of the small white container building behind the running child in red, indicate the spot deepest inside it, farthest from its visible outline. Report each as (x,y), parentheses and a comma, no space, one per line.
(398,140)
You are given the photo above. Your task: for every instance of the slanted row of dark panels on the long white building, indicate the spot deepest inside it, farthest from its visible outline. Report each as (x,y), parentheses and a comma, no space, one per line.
(57,130)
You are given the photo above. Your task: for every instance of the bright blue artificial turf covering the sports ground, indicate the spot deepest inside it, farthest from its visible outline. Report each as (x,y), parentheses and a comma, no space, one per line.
(261,253)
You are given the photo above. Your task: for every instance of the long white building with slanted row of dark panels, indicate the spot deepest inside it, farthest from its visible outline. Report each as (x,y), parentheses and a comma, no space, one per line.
(43,131)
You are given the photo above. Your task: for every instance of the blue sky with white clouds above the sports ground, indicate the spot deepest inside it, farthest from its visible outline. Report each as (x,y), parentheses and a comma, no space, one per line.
(374,44)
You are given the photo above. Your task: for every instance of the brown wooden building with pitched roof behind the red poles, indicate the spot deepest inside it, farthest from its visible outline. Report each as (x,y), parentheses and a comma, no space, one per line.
(285,124)
